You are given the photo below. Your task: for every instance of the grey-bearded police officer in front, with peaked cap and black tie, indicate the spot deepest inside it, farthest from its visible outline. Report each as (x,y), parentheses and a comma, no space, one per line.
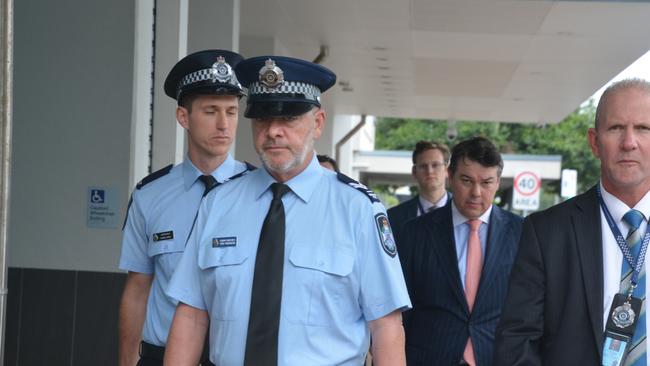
(331,277)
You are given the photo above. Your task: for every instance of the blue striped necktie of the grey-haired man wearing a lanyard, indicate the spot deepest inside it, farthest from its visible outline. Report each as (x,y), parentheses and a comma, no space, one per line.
(637,353)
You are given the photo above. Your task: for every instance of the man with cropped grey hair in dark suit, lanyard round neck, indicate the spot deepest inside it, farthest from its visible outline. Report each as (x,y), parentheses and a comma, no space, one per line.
(569,265)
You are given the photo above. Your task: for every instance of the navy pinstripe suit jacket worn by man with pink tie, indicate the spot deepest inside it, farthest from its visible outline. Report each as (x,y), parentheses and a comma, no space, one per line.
(438,326)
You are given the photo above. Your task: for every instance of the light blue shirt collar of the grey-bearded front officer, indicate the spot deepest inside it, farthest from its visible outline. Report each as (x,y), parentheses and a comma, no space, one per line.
(303,185)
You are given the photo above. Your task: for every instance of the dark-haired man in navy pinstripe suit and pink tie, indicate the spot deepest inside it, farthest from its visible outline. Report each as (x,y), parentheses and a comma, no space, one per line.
(456,262)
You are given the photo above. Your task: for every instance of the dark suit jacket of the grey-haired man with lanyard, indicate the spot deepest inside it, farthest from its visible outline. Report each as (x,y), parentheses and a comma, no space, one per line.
(553,313)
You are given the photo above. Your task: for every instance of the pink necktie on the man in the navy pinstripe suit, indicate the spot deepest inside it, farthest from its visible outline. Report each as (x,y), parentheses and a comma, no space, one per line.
(472,278)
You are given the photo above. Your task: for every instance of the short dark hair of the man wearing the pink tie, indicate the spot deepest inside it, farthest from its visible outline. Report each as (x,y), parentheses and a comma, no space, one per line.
(478,149)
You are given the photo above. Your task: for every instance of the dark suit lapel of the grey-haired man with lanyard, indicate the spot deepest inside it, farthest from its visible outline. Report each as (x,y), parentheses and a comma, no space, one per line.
(586,226)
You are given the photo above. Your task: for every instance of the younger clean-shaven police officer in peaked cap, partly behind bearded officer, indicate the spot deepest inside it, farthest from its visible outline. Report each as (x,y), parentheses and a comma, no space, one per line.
(164,205)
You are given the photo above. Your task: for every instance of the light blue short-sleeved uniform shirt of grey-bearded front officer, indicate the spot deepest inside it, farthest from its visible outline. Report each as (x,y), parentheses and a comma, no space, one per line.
(339,272)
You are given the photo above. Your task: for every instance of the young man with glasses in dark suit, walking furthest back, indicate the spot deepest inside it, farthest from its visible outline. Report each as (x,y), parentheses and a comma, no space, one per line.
(430,161)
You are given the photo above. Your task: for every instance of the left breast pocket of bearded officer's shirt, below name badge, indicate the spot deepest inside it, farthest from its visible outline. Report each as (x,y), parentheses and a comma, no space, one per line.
(224,278)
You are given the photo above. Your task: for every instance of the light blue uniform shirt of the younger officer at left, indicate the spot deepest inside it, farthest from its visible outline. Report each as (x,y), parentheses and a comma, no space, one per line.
(158,224)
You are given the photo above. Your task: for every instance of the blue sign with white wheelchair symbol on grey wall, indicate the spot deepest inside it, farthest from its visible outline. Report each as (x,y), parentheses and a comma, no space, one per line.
(102,208)
